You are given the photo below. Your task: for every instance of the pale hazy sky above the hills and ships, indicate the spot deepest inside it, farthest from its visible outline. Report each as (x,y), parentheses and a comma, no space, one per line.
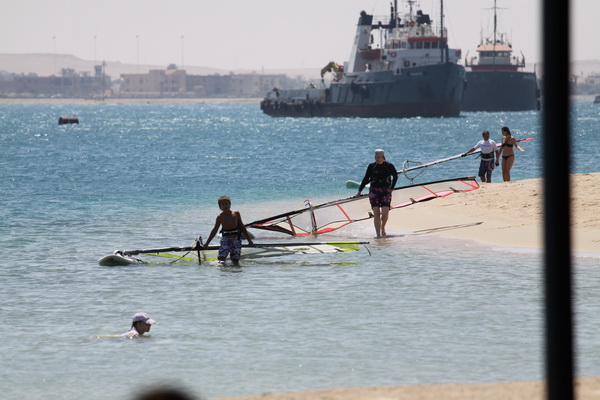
(258,34)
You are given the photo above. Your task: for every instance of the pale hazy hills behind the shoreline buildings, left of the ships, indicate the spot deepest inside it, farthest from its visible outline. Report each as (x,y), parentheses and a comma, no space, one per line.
(49,64)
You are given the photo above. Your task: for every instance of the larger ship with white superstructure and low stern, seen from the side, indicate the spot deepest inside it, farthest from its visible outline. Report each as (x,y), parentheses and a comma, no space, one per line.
(411,72)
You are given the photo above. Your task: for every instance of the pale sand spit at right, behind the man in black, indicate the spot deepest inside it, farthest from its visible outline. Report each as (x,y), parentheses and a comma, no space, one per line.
(505,214)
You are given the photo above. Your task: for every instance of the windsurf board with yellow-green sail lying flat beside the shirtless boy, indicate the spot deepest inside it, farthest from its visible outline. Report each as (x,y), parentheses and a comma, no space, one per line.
(210,253)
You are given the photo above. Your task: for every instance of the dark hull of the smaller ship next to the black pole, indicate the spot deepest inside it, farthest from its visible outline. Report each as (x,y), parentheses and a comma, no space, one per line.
(500,91)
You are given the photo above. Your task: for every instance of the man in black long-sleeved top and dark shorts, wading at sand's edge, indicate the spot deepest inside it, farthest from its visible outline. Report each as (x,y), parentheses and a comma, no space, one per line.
(382,177)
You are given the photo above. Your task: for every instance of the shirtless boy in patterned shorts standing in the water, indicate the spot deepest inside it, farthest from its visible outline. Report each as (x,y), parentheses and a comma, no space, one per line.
(231,232)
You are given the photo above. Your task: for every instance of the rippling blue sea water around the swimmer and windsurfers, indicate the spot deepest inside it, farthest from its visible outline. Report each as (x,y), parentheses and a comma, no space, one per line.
(420,309)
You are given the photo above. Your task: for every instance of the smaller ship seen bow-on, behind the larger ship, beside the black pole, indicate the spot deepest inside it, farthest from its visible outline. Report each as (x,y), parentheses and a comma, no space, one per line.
(496,80)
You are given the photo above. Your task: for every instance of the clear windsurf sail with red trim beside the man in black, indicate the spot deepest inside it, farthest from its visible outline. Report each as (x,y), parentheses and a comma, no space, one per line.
(330,216)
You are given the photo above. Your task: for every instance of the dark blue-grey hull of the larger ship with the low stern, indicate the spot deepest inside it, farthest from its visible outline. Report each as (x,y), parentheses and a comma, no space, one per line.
(427,91)
